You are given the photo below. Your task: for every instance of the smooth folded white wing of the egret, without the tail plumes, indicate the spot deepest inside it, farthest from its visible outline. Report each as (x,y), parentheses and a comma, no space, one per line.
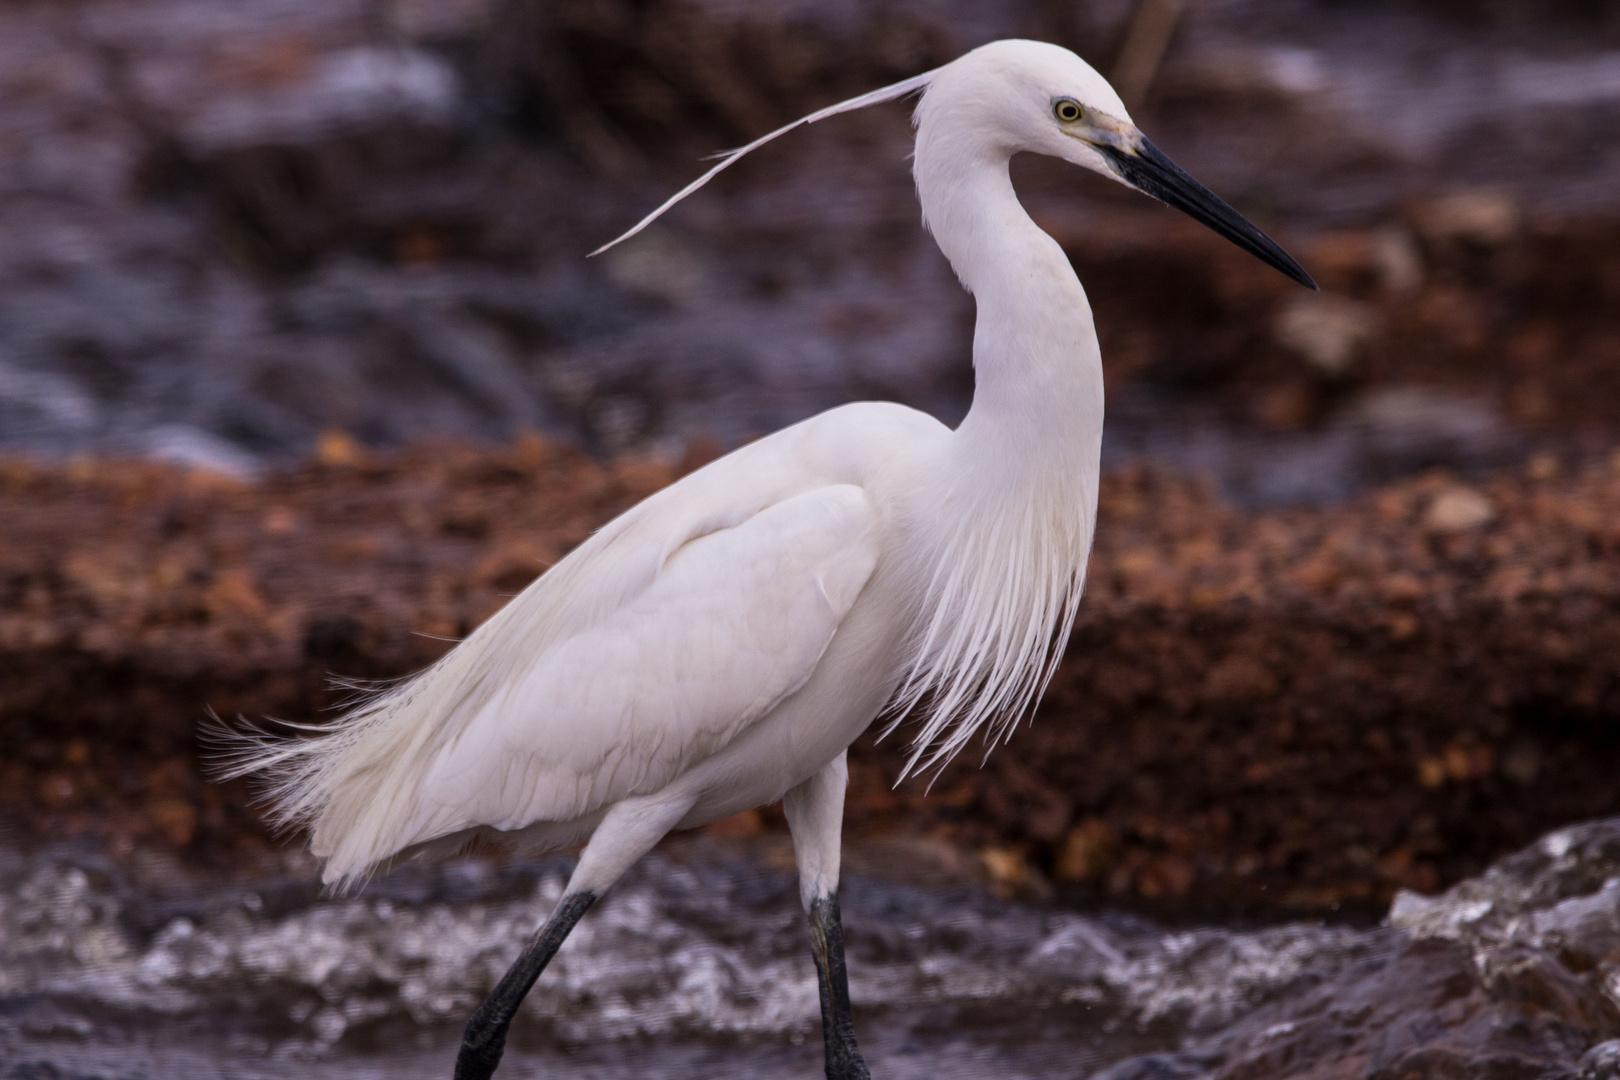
(733,623)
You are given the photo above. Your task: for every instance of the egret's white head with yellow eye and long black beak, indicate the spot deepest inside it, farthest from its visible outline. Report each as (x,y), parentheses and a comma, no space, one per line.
(1026,96)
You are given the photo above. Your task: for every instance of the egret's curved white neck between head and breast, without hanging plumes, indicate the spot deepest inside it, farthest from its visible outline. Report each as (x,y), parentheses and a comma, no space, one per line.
(1038,367)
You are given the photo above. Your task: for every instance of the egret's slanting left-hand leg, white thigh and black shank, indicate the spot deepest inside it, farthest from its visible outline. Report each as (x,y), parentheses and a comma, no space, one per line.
(626,835)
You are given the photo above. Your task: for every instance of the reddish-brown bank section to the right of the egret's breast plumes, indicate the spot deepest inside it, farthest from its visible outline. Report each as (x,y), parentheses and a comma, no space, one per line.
(1310,710)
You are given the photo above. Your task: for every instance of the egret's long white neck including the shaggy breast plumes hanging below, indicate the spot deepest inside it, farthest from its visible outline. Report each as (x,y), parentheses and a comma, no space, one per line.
(1015,498)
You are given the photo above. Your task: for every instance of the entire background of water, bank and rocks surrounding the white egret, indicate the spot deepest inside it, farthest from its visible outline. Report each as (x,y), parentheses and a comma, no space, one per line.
(305,372)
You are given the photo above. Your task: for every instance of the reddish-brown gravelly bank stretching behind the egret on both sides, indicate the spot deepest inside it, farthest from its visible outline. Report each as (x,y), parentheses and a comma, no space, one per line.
(1261,713)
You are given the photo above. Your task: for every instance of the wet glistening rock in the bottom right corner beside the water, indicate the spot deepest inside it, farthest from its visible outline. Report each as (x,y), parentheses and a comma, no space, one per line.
(1469,989)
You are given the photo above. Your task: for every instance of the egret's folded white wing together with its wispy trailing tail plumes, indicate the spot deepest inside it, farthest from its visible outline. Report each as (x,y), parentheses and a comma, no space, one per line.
(644,652)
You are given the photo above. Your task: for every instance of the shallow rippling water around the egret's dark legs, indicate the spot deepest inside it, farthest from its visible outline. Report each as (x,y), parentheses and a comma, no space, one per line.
(689,966)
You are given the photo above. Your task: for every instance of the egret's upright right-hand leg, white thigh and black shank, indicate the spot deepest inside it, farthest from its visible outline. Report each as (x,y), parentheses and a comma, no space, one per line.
(816,814)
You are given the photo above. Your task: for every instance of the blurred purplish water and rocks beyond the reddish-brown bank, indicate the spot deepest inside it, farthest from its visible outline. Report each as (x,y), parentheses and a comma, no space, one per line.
(229,227)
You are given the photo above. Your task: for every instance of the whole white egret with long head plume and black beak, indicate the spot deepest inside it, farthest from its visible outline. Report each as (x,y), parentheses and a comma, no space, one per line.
(722,645)
